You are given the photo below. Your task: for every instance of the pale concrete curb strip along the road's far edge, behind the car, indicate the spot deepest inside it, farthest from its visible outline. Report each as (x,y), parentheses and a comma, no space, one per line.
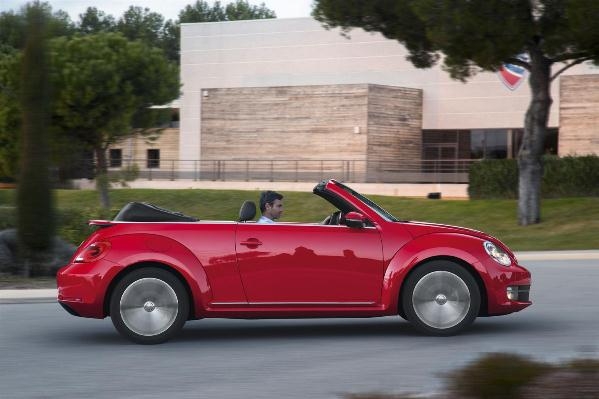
(49,295)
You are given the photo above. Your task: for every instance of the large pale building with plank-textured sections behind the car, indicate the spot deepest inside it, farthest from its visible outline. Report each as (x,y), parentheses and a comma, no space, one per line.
(290,90)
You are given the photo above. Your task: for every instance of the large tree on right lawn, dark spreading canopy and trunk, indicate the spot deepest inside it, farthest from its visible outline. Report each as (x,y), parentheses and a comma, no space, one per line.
(482,35)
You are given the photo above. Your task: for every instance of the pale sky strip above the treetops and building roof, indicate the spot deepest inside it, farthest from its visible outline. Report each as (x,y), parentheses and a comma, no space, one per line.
(168,8)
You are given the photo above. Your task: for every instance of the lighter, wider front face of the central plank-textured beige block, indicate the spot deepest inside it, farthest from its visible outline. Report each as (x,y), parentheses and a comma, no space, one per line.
(282,123)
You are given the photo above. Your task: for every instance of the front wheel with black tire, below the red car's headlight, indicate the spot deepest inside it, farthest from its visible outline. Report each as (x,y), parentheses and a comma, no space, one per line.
(441,298)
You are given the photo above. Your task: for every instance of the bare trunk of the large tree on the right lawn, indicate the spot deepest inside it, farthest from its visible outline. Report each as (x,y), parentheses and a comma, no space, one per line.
(530,162)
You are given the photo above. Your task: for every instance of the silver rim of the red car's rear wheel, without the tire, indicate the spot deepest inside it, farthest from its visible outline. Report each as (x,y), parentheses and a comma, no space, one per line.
(149,306)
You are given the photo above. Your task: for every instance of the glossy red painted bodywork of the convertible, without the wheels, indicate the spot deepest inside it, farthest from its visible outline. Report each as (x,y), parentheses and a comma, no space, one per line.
(250,270)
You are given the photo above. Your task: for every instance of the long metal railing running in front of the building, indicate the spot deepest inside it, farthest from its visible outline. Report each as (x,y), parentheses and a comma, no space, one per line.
(423,171)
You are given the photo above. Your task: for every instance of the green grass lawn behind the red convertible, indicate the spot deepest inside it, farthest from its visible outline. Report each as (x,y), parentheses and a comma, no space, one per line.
(567,223)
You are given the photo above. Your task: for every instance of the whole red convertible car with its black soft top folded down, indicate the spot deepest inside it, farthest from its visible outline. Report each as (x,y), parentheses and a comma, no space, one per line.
(151,270)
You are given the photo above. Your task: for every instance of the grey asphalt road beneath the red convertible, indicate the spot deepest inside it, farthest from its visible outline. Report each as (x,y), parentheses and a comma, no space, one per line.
(46,353)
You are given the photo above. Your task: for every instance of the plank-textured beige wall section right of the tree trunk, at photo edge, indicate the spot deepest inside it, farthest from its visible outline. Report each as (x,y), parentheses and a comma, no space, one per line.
(579,115)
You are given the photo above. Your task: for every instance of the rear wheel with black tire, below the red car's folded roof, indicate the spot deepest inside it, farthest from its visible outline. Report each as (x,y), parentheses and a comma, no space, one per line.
(149,306)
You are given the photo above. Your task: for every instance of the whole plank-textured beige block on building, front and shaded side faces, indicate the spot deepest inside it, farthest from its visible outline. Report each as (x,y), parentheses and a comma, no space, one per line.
(335,123)
